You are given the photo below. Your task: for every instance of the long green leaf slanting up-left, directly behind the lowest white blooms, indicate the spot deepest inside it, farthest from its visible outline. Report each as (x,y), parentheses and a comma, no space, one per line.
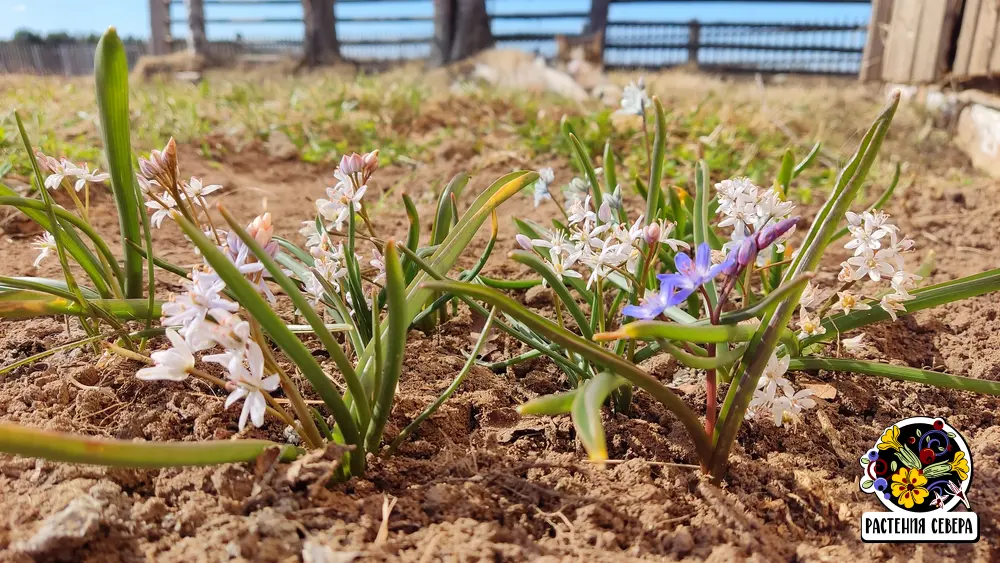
(261,311)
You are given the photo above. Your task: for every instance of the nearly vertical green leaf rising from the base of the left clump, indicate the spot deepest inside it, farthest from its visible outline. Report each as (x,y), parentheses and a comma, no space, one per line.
(398,325)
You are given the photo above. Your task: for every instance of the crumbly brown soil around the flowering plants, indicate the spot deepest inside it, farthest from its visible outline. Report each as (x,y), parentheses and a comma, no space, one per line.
(477,482)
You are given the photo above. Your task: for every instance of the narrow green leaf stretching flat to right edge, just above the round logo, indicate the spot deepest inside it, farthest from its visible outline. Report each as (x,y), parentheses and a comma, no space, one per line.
(901,373)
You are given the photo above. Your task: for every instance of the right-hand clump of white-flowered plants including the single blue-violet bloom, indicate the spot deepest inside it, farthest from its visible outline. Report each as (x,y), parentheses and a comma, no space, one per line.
(720,279)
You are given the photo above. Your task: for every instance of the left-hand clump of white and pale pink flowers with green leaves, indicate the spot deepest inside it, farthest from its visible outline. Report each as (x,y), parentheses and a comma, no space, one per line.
(357,291)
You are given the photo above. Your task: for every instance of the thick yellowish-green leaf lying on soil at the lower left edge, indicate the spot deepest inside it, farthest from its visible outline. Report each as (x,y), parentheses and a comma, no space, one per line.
(73,448)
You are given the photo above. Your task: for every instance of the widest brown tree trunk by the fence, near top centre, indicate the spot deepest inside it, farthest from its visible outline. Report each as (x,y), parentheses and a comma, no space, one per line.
(461,29)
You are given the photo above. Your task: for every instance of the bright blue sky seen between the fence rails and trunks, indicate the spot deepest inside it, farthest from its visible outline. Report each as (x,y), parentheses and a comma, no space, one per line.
(131,17)
